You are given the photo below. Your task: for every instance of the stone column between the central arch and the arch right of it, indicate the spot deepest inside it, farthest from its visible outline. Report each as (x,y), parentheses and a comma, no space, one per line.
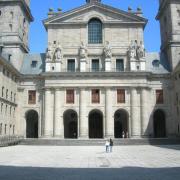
(109,123)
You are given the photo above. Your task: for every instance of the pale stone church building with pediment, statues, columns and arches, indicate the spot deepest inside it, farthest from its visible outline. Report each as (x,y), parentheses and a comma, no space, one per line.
(95,80)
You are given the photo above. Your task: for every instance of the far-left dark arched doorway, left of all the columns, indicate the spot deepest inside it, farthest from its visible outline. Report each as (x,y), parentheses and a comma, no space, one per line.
(32,124)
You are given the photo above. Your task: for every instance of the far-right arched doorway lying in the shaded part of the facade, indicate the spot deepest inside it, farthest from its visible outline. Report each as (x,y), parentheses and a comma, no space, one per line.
(159,124)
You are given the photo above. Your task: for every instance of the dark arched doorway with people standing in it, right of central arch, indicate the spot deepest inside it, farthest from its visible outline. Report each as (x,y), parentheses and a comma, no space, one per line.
(120,124)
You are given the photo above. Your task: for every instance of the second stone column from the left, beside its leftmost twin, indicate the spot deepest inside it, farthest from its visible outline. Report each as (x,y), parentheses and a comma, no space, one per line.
(58,122)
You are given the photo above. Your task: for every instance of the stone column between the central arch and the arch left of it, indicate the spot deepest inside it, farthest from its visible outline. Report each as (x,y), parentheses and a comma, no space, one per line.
(83,120)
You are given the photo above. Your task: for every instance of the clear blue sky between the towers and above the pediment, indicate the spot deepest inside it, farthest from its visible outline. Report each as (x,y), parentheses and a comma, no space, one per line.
(39,8)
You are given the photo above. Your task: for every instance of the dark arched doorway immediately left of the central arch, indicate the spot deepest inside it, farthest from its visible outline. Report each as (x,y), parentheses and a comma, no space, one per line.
(70,124)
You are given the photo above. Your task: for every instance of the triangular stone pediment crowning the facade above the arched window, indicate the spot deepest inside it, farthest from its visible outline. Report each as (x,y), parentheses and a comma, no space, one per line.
(105,13)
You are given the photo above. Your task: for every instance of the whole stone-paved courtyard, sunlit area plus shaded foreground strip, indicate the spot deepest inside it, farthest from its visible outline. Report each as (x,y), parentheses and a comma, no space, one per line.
(90,163)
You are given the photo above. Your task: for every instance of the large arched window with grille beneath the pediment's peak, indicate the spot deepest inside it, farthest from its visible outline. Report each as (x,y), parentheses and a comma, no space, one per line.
(95,31)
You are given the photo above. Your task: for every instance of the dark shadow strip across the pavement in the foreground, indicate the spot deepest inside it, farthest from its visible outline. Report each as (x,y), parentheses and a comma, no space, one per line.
(129,173)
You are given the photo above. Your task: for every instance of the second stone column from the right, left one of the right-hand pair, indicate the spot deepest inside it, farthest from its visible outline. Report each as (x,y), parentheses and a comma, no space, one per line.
(135,115)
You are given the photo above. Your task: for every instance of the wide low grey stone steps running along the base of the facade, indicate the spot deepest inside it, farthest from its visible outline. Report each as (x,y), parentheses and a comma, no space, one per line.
(99,142)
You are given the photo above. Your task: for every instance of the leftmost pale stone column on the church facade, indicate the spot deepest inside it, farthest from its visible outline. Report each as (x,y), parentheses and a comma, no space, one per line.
(49,113)
